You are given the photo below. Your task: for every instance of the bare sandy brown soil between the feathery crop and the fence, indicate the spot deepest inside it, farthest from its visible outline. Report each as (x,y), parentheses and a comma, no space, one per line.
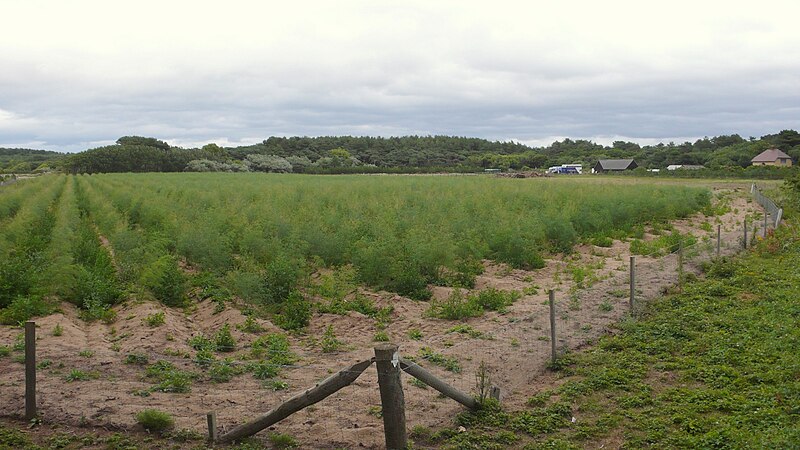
(516,352)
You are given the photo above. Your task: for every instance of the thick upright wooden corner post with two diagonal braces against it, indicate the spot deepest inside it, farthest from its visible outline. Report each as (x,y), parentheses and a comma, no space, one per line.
(387,361)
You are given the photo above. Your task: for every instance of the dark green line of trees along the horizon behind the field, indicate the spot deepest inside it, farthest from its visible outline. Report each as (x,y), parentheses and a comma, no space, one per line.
(352,154)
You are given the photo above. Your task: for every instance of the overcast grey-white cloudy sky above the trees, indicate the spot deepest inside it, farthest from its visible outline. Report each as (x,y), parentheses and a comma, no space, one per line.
(79,74)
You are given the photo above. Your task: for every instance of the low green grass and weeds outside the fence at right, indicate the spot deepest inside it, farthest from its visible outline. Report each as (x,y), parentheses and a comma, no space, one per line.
(712,367)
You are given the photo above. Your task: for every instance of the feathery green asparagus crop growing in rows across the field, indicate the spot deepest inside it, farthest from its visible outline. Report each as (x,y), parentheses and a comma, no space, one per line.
(93,240)
